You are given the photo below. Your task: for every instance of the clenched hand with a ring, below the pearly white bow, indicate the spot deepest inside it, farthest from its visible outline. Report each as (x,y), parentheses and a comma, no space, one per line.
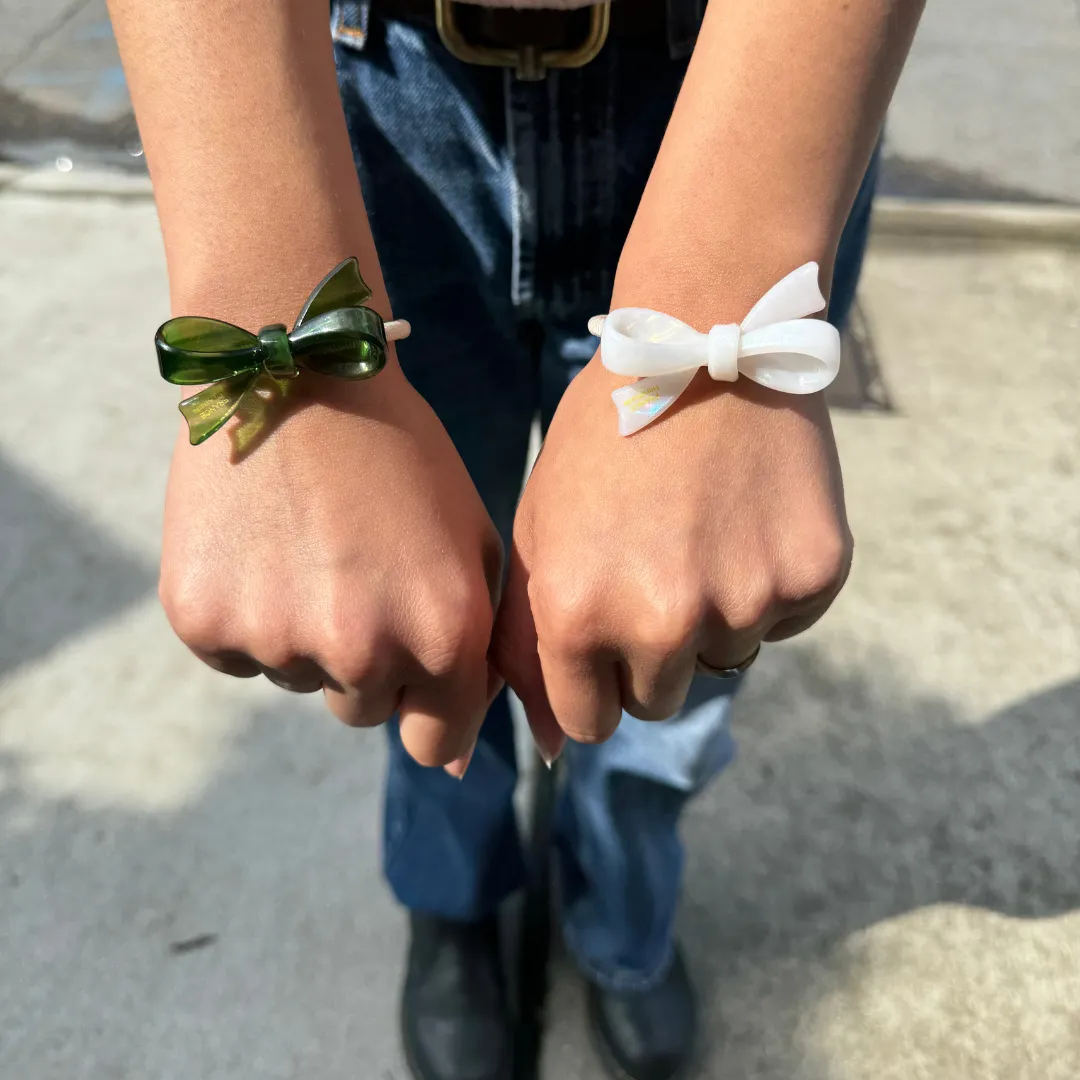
(718,528)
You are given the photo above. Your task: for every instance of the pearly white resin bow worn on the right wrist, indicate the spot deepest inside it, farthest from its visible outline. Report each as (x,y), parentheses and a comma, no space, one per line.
(776,345)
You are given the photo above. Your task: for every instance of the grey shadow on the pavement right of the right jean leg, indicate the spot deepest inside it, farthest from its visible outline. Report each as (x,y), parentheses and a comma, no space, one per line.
(853,803)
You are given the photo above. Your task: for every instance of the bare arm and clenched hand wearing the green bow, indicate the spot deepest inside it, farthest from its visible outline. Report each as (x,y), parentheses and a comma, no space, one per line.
(287,561)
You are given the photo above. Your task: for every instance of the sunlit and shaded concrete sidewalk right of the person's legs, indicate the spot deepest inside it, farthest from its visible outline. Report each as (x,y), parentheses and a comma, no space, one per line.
(885,885)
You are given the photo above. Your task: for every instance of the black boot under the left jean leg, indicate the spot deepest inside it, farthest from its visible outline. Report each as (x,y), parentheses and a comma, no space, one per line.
(455,1023)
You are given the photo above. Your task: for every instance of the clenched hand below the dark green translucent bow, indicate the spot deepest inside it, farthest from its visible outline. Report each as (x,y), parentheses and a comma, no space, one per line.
(349,552)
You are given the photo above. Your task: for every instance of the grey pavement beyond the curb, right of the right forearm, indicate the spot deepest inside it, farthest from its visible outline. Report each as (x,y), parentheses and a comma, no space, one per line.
(989,106)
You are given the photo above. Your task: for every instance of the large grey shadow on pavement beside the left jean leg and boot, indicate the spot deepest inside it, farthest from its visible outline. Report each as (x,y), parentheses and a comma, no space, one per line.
(245,936)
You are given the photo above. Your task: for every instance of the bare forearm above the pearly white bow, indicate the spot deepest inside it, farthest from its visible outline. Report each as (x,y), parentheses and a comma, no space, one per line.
(775,125)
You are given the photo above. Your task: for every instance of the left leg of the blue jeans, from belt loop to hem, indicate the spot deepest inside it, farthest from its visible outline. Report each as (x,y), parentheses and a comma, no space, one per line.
(436,190)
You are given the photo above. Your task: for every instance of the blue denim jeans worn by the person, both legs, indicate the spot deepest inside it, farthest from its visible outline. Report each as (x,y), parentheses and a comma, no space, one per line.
(499,209)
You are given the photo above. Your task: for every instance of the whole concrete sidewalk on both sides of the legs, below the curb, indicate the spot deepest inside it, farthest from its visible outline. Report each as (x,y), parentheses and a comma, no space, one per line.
(885,885)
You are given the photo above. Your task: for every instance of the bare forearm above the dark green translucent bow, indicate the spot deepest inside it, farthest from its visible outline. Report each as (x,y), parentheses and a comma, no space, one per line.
(247,144)
